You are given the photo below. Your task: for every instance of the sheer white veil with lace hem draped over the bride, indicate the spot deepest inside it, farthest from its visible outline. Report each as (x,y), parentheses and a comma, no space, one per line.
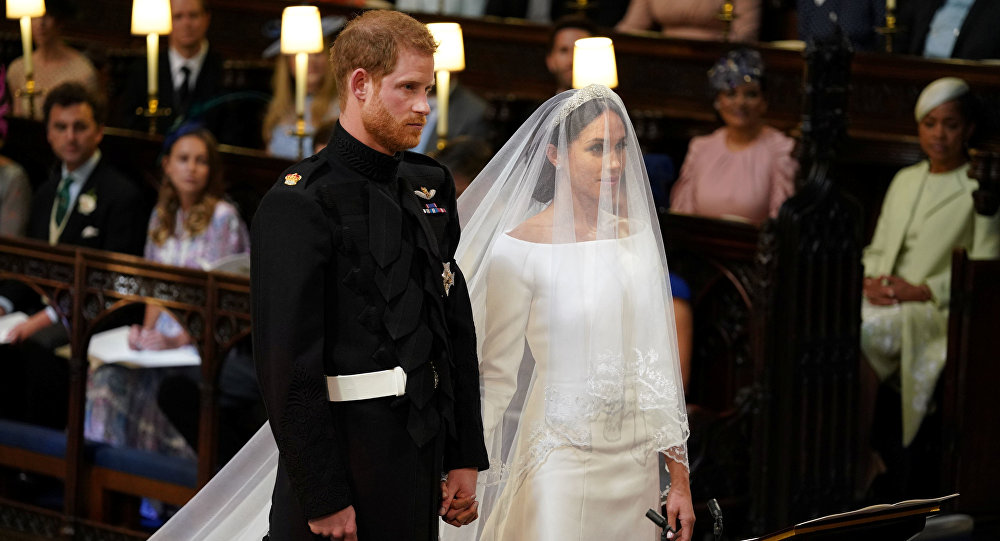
(568,197)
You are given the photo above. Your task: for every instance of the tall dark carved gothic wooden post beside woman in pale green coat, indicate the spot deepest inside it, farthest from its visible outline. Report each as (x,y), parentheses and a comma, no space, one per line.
(807,322)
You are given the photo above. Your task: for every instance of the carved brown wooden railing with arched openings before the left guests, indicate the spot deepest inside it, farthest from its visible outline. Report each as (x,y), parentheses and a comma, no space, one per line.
(88,288)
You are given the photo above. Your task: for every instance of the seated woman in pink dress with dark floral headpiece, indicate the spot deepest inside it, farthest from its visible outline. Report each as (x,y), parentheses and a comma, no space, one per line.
(743,170)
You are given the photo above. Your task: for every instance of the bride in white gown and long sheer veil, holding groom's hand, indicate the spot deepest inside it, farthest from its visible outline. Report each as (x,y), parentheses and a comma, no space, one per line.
(580,380)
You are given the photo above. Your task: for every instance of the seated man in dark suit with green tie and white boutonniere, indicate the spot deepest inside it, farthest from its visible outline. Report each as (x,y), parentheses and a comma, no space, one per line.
(86,202)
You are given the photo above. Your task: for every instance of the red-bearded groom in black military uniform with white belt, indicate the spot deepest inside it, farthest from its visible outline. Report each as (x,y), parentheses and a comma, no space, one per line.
(363,331)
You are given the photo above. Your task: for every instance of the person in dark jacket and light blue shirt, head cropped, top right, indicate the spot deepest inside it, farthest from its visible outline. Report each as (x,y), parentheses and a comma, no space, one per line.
(950,29)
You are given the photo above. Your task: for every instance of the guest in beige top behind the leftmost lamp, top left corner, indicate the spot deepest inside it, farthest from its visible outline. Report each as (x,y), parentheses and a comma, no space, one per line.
(54,61)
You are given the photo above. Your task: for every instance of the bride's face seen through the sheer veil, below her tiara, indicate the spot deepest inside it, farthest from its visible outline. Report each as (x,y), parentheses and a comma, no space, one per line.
(592,164)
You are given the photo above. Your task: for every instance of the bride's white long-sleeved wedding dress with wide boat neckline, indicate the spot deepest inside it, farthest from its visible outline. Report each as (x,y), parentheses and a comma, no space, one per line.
(575,472)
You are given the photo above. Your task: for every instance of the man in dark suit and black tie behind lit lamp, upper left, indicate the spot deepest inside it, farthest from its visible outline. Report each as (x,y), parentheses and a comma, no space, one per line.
(189,79)
